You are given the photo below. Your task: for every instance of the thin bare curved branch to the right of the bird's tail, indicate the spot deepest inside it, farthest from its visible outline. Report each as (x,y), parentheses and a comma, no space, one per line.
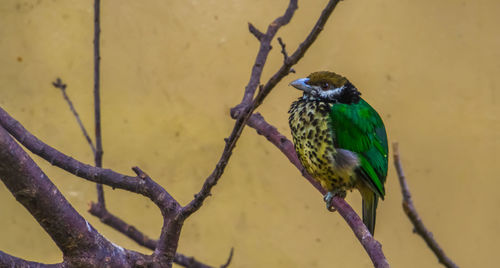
(412,213)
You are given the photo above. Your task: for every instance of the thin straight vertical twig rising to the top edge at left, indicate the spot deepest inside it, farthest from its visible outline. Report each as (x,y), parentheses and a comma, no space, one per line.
(97,99)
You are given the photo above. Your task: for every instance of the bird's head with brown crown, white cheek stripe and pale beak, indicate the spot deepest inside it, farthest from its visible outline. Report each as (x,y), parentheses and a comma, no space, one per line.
(327,86)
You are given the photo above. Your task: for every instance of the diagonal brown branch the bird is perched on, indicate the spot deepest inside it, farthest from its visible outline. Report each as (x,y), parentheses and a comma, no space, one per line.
(372,246)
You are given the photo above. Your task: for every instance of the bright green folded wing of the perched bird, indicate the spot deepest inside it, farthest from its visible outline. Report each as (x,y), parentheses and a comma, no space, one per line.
(359,128)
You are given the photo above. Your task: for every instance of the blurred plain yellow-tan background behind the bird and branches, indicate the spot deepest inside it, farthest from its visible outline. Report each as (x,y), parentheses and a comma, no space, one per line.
(171,70)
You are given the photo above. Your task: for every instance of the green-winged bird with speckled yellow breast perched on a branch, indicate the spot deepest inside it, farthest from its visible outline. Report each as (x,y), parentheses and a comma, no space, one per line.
(340,139)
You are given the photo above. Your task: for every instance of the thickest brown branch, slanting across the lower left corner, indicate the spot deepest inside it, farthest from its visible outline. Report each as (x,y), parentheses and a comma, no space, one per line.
(74,236)
